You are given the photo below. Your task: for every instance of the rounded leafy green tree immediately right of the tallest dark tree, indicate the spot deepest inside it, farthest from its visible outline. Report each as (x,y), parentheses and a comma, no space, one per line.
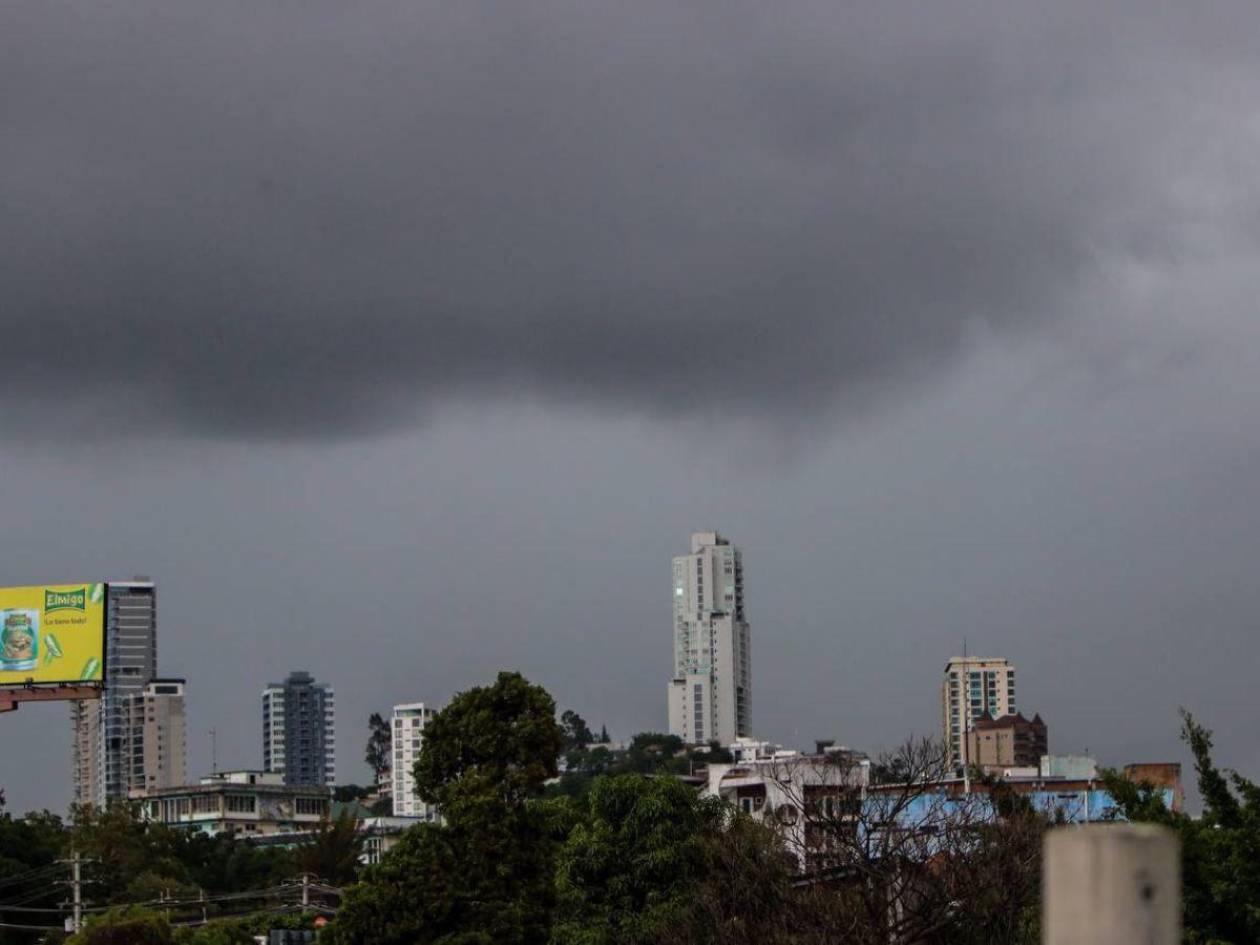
(628,874)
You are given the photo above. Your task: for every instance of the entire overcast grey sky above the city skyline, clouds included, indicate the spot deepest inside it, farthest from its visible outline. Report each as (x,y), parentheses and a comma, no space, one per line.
(406,342)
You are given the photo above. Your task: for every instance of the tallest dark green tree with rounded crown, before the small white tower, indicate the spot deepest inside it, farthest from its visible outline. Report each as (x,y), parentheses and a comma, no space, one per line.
(486,875)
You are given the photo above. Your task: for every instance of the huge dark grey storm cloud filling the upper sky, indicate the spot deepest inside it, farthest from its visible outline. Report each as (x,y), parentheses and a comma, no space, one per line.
(299,219)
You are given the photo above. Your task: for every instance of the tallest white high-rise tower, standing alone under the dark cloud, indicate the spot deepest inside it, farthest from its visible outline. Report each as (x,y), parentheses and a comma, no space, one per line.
(711,691)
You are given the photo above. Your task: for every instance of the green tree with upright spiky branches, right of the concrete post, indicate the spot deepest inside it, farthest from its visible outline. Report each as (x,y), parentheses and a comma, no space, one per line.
(1220,851)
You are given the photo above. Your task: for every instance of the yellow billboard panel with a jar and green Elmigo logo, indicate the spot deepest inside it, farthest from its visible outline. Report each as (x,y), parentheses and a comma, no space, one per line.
(52,634)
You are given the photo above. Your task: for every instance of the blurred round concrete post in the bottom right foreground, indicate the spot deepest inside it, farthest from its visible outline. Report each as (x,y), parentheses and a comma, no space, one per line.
(1112,885)
